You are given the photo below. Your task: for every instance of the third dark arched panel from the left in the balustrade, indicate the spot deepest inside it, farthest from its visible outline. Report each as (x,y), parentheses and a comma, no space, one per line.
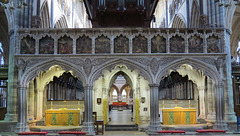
(65,45)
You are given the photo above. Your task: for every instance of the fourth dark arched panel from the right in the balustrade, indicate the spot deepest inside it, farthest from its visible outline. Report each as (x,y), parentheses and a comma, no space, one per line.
(158,44)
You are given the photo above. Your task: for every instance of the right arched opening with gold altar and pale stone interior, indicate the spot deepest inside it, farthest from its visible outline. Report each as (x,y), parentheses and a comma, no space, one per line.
(188,89)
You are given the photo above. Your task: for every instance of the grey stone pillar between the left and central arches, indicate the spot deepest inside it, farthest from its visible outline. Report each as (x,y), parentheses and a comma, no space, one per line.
(88,123)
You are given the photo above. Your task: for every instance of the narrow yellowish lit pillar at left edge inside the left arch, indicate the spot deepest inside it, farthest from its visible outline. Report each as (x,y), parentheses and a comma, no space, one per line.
(31,101)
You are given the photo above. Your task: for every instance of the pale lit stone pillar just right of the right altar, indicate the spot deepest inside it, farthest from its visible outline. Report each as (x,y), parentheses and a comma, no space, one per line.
(202,102)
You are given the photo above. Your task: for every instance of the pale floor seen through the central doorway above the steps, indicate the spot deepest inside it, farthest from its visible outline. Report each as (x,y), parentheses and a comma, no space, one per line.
(121,117)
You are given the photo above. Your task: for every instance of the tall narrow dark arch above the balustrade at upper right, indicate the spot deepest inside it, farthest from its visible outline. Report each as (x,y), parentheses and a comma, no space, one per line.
(195,15)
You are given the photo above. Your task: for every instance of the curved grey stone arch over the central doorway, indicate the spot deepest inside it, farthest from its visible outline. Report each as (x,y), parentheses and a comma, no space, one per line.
(131,65)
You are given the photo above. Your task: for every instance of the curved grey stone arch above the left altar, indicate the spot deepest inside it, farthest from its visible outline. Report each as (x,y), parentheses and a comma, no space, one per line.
(34,70)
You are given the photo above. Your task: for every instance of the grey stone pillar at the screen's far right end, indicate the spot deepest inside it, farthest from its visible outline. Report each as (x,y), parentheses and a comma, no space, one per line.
(219,107)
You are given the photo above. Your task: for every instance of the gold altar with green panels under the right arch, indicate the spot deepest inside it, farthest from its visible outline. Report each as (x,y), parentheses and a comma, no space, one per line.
(179,116)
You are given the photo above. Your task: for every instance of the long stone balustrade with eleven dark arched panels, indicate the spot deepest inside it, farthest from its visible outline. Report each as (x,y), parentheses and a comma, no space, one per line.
(115,41)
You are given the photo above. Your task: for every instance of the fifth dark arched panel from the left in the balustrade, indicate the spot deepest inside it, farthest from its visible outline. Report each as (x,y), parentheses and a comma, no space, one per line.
(102,45)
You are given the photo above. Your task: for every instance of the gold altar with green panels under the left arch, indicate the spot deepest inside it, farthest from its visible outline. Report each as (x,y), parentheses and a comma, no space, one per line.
(62,117)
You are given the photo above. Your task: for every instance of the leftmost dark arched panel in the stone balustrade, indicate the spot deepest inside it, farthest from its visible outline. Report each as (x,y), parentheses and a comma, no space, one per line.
(27,45)
